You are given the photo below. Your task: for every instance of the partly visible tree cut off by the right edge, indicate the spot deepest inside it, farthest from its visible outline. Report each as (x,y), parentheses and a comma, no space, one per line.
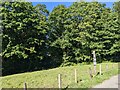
(115,49)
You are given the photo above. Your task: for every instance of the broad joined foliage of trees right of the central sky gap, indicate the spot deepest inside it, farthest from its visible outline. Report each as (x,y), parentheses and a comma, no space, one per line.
(82,28)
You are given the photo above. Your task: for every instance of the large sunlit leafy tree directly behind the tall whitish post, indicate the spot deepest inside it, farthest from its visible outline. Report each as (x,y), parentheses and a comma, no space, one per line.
(95,28)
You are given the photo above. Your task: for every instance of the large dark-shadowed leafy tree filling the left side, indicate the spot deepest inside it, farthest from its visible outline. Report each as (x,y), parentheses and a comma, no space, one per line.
(24,35)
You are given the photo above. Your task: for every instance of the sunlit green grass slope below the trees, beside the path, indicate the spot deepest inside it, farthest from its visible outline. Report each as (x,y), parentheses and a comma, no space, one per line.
(49,78)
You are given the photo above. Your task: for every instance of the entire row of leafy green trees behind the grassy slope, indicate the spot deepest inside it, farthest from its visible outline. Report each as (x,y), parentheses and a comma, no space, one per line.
(34,39)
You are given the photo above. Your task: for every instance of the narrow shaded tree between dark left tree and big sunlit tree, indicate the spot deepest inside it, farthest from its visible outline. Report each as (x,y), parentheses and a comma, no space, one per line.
(56,37)
